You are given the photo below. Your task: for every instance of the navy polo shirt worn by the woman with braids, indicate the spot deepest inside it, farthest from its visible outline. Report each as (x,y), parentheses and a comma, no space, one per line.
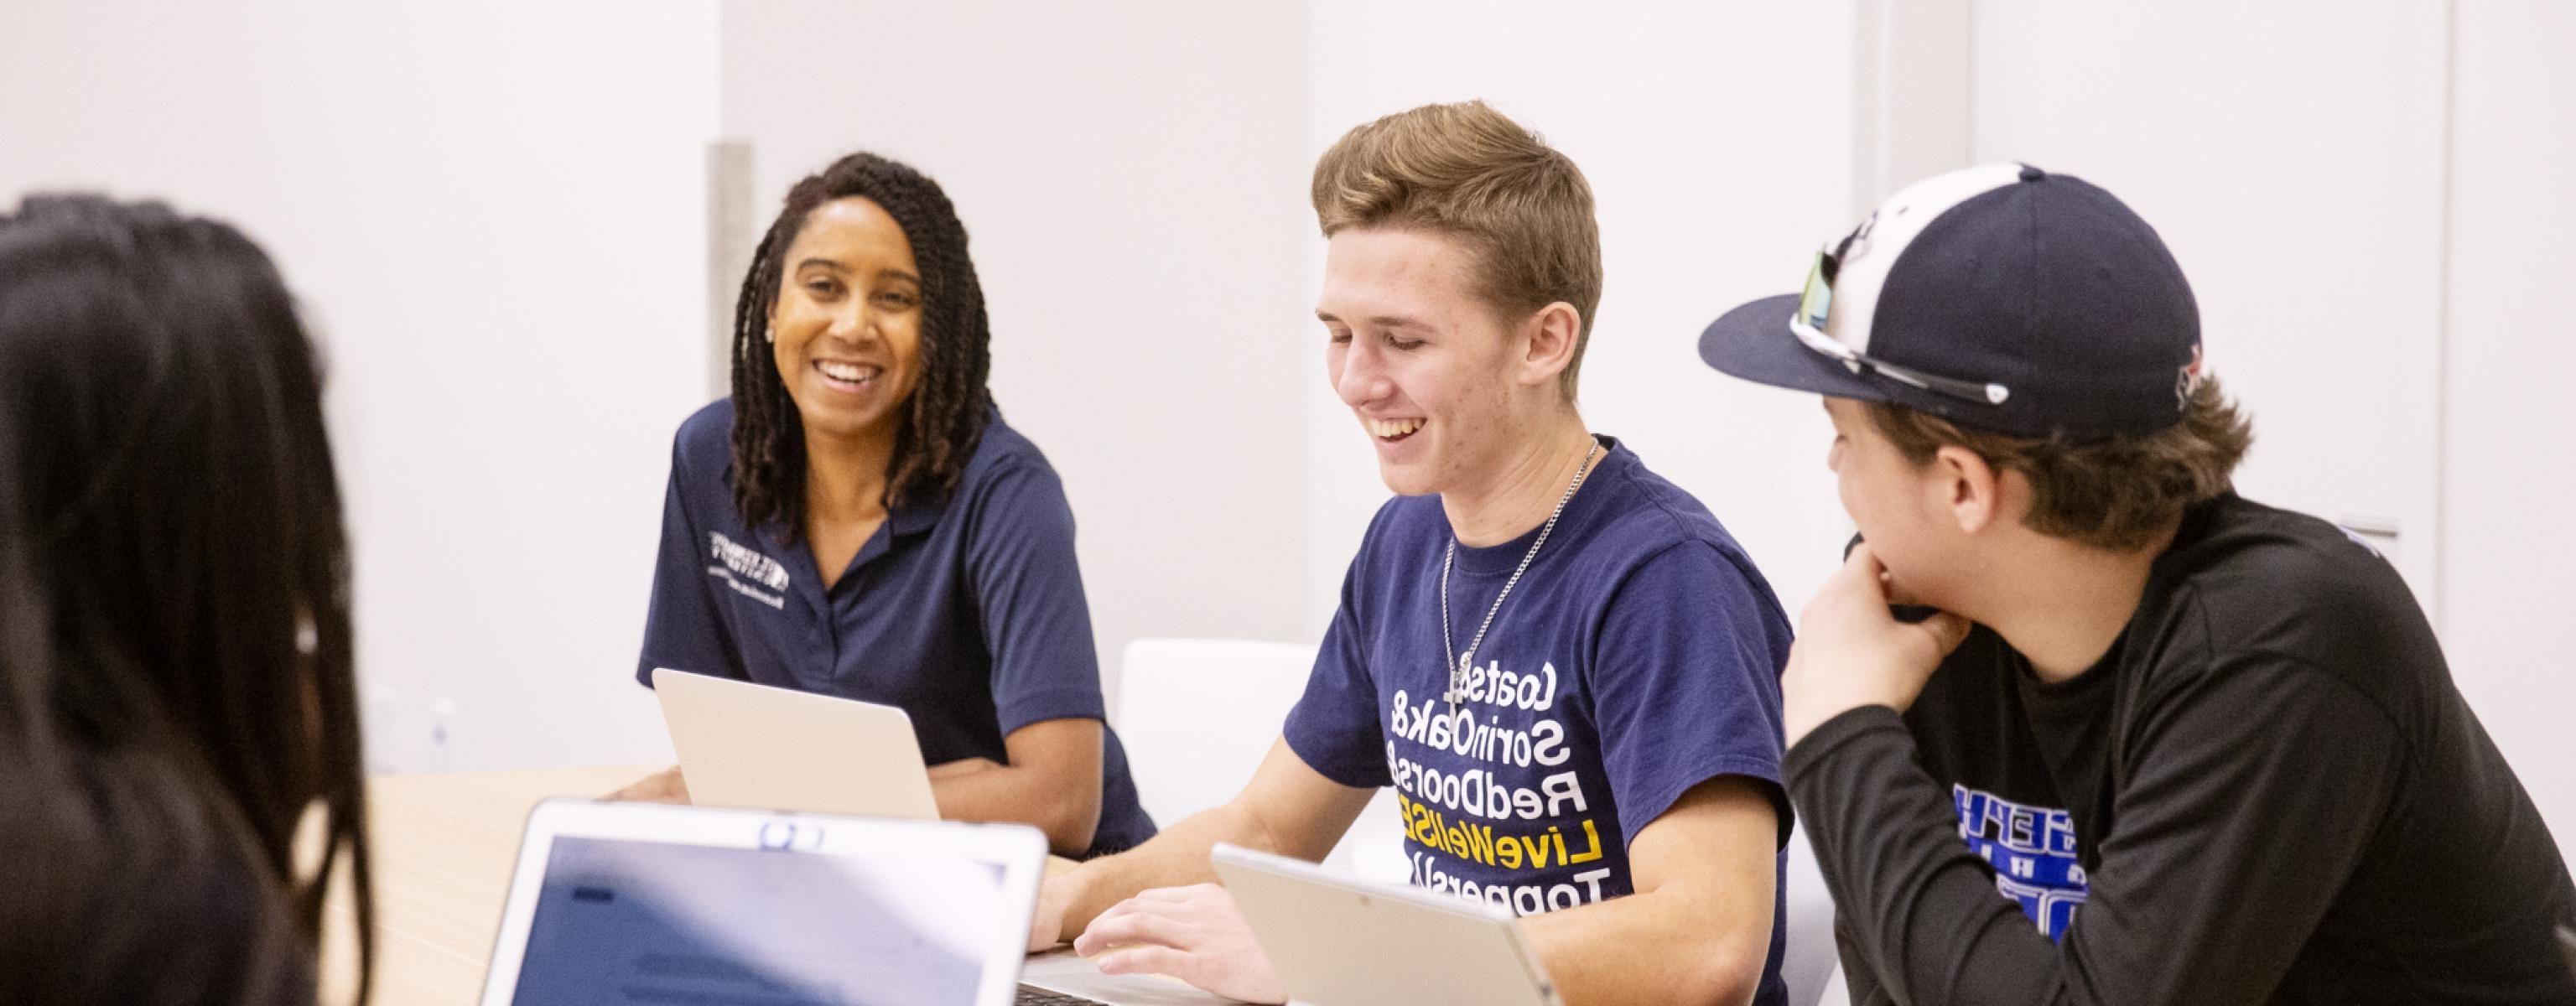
(967,614)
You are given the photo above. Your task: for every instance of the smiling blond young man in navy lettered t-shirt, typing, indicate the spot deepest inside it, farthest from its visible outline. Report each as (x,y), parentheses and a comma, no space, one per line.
(1562,663)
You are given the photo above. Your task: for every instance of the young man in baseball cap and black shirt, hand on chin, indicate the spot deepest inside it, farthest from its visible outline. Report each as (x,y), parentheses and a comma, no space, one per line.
(2126,737)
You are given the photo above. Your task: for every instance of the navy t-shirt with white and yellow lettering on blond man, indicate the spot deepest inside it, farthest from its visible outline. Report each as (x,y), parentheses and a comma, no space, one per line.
(1637,660)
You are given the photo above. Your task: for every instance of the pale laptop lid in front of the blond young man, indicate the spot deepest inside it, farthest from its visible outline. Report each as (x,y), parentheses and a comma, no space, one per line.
(1351,943)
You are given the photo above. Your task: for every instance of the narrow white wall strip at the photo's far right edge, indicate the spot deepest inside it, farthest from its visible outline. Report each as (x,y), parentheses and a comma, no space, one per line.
(2510,416)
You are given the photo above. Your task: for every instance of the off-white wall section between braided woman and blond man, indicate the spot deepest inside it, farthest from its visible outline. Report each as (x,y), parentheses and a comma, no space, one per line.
(1132,184)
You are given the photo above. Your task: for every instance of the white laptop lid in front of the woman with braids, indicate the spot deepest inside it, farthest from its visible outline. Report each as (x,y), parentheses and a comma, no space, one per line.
(782,750)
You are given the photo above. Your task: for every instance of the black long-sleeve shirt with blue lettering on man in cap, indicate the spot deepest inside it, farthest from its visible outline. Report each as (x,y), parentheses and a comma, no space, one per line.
(2266,794)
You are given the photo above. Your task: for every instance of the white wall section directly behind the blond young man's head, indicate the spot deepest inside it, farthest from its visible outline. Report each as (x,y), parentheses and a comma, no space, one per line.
(1719,148)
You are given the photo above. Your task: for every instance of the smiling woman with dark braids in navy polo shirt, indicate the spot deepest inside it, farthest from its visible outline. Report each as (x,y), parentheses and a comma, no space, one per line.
(857,518)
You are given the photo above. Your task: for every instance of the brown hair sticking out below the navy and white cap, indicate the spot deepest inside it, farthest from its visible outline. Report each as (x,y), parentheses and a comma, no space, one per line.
(2106,493)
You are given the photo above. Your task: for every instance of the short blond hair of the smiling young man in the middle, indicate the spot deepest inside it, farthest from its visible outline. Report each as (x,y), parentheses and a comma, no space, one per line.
(1472,174)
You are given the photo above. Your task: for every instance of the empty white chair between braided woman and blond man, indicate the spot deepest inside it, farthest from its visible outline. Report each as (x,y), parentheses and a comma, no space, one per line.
(1199,717)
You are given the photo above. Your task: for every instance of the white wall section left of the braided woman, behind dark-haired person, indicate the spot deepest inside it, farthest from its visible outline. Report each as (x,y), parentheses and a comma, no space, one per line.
(493,210)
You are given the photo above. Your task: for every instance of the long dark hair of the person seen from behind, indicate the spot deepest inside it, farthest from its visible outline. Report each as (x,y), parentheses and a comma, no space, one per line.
(174,521)
